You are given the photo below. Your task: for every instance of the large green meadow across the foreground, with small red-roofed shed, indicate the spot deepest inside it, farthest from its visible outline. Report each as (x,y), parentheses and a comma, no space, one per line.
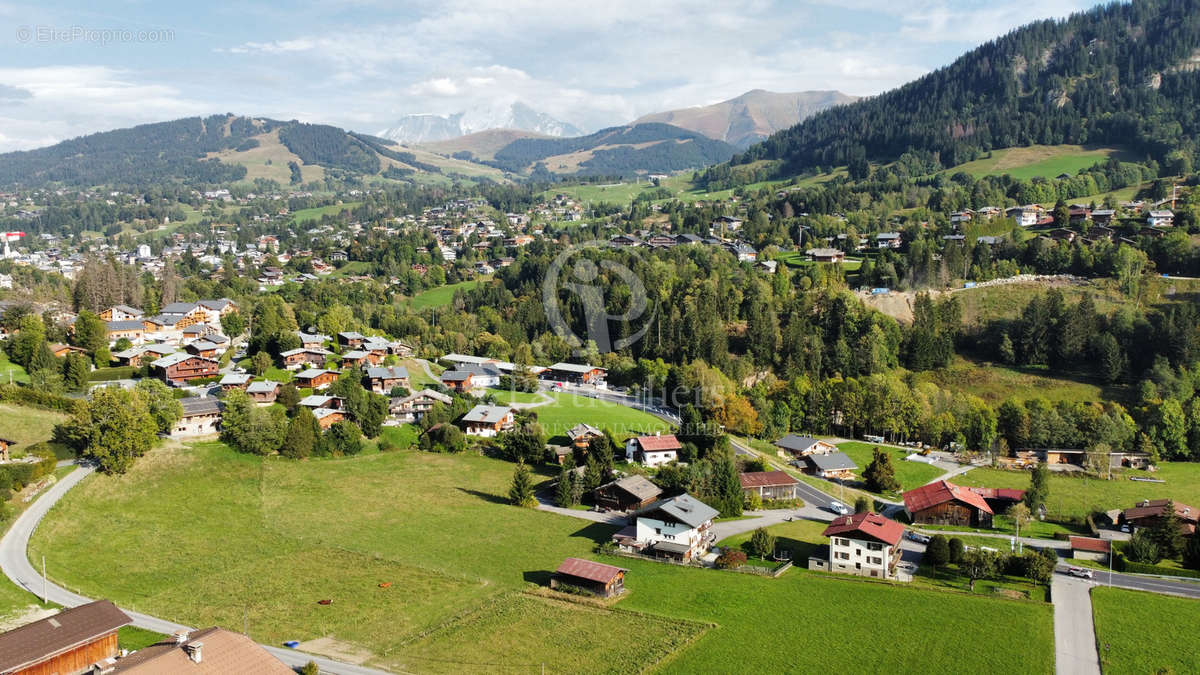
(267,539)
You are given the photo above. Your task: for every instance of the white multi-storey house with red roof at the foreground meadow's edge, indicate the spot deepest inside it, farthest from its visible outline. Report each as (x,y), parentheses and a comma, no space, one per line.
(866,545)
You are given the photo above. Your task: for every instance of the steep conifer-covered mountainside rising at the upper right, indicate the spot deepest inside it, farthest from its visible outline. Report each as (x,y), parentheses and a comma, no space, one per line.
(1119,75)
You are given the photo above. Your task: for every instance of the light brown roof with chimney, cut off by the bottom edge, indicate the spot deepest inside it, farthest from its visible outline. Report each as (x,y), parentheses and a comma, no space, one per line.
(208,652)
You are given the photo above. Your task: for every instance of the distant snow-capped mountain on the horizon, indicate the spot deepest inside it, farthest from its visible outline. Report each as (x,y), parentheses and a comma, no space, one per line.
(430,128)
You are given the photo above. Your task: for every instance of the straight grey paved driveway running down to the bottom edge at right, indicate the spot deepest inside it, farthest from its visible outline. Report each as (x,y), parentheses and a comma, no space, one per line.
(1075,636)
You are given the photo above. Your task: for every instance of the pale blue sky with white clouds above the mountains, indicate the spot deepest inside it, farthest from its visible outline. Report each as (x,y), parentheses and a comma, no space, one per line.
(69,69)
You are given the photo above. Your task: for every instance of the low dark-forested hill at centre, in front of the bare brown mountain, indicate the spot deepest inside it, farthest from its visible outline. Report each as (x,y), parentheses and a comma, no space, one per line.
(621,151)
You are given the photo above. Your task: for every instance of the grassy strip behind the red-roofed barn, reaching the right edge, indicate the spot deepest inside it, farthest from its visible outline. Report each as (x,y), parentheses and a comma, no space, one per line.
(1078,497)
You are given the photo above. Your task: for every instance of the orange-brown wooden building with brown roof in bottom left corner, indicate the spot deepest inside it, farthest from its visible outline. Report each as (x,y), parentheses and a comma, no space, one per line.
(70,642)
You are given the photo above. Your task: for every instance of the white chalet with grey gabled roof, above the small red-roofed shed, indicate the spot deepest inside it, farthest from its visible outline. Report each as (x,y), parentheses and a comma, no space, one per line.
(679,529)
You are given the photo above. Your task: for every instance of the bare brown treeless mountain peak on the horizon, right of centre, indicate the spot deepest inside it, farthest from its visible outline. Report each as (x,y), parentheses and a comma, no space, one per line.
(752,117)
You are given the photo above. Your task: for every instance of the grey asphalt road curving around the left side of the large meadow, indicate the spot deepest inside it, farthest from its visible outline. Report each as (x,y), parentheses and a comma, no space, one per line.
(16,566)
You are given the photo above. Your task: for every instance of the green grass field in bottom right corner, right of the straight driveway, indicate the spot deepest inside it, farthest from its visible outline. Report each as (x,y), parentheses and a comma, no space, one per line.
(1123,619)
